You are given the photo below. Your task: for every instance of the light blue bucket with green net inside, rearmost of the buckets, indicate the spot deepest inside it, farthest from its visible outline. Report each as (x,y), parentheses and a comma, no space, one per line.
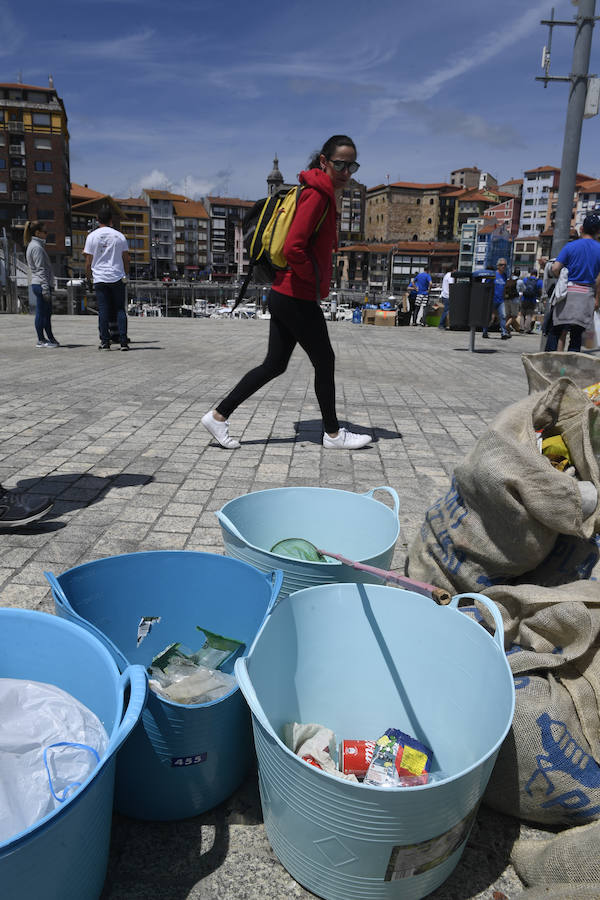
(354,525)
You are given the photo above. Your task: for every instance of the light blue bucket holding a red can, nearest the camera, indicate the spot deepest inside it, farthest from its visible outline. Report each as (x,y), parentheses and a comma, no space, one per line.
(359,659)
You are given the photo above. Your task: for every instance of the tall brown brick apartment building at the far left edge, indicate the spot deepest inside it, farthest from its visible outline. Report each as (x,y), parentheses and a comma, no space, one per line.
(34,166)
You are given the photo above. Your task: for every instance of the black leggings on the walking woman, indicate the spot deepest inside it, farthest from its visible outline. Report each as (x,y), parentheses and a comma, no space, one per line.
(292,322)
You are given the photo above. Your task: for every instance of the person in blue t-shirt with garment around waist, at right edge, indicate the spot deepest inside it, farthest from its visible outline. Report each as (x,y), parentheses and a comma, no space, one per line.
(575,313)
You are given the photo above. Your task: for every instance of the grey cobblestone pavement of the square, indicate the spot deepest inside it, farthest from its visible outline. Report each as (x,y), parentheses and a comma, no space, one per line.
(116,439)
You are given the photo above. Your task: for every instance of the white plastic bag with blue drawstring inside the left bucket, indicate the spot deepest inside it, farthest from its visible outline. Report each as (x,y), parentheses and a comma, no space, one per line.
(49,745)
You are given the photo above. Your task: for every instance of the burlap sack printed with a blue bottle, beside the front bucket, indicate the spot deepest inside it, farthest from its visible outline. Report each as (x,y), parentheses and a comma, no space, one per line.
(546,770)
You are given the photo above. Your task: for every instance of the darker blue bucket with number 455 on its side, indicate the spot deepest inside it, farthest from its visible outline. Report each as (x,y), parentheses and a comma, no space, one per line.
(181,759)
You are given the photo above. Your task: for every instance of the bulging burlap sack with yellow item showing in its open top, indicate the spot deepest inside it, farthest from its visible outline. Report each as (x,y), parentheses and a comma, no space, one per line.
(507,505)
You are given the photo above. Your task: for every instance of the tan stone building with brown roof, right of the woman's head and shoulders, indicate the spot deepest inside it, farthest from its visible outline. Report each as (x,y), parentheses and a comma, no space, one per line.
(409,211)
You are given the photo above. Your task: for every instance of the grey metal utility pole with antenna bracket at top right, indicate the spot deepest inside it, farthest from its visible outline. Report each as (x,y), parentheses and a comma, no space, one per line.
(578,79)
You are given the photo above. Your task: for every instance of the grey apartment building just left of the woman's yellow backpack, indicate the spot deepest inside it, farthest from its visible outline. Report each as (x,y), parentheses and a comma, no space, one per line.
(227,254)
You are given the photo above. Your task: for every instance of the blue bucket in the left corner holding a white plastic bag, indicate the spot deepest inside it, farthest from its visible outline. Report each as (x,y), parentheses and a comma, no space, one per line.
(64,855)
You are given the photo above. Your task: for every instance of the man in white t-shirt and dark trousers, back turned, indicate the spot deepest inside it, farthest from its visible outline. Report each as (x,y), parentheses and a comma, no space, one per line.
(107,261)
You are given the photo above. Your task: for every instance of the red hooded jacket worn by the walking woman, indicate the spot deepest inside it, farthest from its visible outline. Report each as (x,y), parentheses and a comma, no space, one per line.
(299,279)
